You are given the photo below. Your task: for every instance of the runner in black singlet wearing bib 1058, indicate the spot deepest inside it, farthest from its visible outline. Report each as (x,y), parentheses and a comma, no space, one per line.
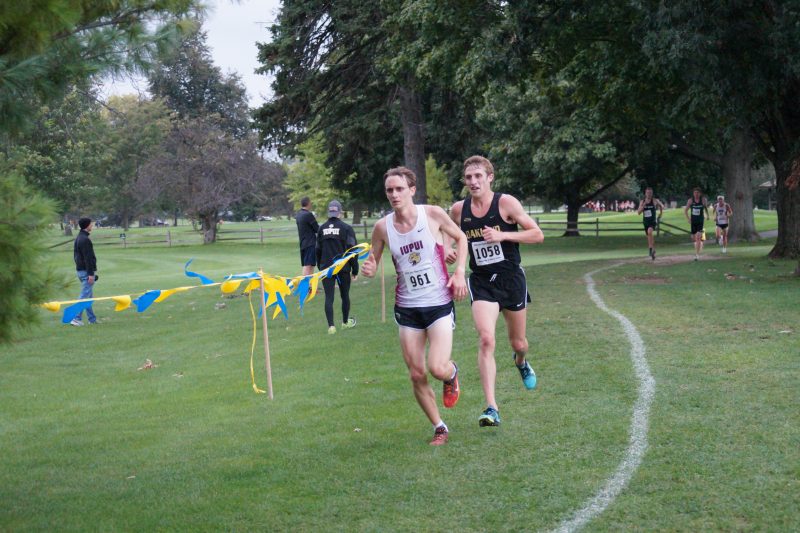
(497,283)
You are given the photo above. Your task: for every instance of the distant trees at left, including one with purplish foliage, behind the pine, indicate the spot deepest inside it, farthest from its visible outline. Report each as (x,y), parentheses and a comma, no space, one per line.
(187,149)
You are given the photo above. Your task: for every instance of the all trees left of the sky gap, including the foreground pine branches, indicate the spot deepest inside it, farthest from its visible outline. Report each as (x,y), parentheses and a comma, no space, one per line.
(188,149)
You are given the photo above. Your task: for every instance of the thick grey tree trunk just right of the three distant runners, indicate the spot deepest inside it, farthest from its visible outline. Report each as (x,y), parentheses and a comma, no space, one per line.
(736,165)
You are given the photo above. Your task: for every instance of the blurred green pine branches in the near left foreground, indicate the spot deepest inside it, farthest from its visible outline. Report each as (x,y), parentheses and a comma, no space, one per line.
(47,48)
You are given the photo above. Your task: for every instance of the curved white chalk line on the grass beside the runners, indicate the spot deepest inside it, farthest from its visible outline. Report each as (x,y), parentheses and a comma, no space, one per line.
(639,420)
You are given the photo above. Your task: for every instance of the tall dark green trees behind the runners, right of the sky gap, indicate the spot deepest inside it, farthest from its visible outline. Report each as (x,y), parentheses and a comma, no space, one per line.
(566,97)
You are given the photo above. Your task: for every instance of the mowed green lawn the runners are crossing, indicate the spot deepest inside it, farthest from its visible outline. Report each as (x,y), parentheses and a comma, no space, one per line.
(91,443)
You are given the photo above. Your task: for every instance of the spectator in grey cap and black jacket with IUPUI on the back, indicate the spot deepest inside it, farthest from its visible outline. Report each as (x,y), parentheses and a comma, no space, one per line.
(333,239)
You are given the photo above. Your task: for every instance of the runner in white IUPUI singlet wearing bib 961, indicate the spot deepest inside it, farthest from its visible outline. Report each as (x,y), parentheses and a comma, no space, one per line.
(424,309)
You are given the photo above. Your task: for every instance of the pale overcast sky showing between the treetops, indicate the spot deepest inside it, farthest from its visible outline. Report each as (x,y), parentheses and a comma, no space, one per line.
(233,30)
